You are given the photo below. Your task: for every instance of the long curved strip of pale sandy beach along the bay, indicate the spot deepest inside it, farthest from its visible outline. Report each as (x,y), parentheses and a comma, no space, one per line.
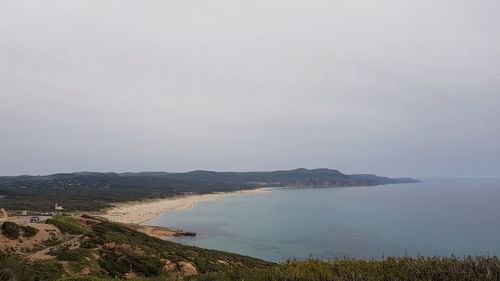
(144,211)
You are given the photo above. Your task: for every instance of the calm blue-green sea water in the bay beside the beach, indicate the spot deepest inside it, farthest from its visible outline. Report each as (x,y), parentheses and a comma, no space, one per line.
(434,218)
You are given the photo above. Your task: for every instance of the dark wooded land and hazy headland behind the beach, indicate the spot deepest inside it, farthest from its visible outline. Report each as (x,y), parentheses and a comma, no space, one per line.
(87,191)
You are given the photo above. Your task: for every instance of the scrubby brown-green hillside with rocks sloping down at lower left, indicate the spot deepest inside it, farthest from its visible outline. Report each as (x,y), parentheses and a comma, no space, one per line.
(89,246)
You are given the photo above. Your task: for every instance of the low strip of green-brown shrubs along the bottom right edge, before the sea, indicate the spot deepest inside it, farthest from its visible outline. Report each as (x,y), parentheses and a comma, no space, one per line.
(391,269)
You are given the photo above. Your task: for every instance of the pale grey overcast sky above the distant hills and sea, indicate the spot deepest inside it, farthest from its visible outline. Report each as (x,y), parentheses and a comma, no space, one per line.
(397,88)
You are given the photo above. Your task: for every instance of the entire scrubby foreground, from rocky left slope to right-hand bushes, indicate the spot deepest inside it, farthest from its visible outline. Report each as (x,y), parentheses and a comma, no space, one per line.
(92,249)
